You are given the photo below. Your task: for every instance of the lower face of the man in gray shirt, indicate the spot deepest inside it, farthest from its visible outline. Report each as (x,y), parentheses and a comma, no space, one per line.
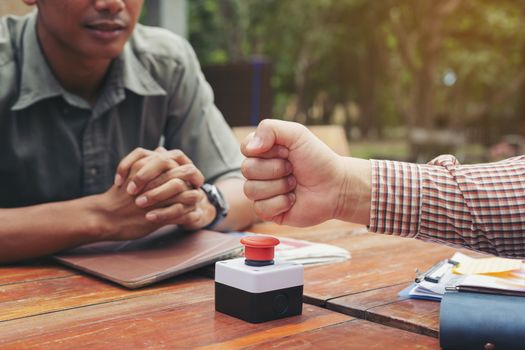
(94,29)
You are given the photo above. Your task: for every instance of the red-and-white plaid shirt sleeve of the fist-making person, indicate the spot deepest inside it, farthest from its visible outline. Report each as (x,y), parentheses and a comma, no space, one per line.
(479,206)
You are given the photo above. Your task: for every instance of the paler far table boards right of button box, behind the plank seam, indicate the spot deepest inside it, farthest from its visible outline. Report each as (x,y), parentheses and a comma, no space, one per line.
(377,261)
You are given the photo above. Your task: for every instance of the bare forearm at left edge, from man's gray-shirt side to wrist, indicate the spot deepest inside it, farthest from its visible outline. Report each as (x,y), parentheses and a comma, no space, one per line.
(47,228)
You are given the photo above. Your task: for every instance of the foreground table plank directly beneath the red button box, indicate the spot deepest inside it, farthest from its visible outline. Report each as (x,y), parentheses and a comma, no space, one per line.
(184,320)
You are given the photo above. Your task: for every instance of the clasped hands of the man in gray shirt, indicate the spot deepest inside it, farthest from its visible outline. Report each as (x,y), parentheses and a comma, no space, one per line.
(157,188)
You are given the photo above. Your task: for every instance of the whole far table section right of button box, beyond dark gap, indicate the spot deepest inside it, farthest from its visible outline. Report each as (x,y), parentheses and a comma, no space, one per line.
(367,285)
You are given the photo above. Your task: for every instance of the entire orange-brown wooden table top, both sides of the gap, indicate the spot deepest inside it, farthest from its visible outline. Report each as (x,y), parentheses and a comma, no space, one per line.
(351,305)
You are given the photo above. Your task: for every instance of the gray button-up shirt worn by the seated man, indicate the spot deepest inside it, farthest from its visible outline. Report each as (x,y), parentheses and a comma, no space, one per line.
(54,146)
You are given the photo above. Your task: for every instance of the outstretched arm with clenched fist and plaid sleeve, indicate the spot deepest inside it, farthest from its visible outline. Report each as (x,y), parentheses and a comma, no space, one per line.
(295,179)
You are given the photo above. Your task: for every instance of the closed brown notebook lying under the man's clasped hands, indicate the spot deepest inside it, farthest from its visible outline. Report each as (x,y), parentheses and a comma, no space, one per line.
(164,253)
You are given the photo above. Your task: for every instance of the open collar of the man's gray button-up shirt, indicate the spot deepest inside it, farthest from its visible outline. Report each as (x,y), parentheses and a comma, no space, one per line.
(38,82)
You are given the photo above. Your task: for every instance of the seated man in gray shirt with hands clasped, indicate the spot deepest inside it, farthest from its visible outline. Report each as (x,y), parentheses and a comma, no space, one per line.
(107,131)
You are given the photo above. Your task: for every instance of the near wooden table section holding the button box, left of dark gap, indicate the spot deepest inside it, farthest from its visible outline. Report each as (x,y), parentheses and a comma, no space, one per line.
(43,305)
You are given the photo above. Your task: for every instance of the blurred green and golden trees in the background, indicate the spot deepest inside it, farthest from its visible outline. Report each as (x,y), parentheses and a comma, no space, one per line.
(376,65)
